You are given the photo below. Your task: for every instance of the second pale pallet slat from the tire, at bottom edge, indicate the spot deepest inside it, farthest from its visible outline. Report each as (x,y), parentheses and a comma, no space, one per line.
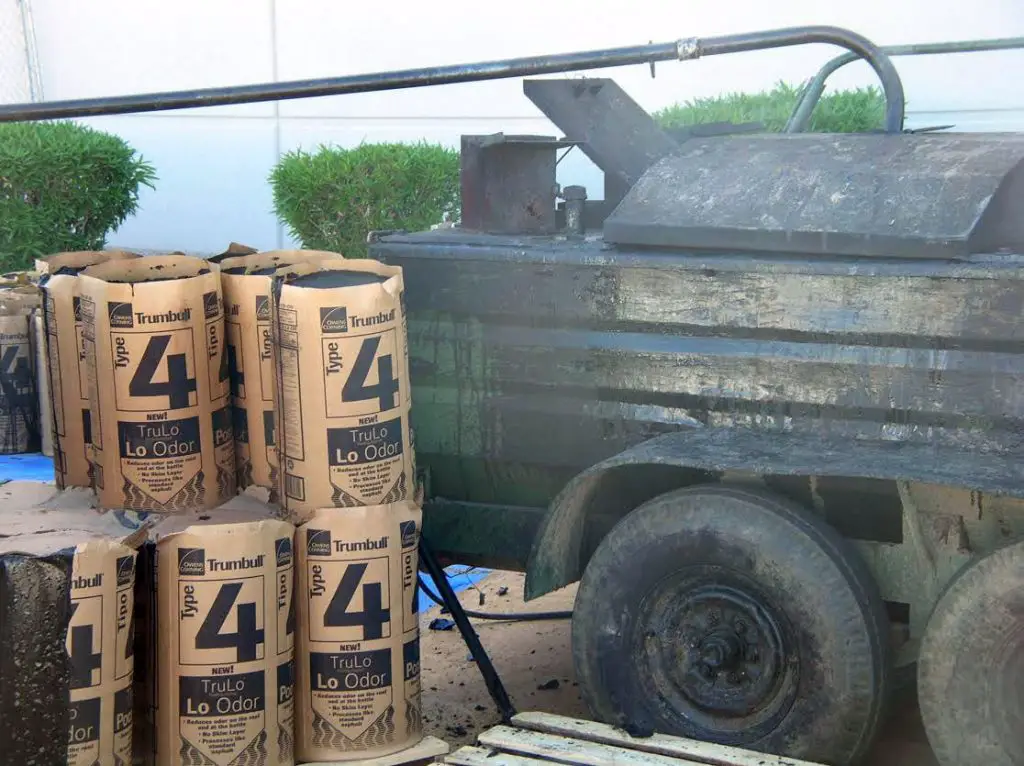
(569,751)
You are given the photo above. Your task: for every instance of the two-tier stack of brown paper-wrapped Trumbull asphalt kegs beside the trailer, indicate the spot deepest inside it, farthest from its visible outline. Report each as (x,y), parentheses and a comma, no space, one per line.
(181,390)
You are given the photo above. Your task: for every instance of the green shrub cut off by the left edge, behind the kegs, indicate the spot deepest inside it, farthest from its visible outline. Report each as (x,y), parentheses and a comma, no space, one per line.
(64,187)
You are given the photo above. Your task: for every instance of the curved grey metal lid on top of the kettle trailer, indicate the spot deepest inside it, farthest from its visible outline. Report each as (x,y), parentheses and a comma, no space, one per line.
(898,196)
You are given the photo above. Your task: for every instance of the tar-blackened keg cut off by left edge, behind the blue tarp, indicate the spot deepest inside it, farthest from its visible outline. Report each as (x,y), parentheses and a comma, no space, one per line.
(20,423)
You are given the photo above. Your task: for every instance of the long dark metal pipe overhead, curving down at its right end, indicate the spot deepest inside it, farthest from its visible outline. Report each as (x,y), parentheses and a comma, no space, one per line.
(686,50)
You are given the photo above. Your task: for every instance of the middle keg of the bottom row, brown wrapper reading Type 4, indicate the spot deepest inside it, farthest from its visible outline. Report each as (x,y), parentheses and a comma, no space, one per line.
(226,659)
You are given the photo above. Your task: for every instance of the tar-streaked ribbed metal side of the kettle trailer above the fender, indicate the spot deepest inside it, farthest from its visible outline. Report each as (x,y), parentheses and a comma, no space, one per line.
(534,359)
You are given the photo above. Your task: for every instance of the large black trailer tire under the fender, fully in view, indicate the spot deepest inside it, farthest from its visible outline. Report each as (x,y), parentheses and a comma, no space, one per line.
(835,665)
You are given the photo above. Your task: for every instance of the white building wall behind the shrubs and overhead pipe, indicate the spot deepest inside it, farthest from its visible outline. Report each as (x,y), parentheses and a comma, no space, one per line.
(214,163)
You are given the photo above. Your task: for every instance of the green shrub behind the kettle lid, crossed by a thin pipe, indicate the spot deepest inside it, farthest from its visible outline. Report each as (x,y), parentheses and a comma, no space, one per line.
(840,112)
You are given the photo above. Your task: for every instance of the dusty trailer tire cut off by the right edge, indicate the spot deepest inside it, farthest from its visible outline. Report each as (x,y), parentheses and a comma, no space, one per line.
(971,669)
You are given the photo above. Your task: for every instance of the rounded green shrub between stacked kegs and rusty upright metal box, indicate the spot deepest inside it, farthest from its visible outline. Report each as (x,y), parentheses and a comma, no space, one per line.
(332,199)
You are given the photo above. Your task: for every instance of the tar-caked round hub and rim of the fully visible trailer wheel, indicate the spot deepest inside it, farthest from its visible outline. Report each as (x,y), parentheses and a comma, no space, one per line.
(719,655)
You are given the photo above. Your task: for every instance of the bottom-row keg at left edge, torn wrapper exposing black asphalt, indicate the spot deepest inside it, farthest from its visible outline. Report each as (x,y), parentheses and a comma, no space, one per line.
(67,584)
